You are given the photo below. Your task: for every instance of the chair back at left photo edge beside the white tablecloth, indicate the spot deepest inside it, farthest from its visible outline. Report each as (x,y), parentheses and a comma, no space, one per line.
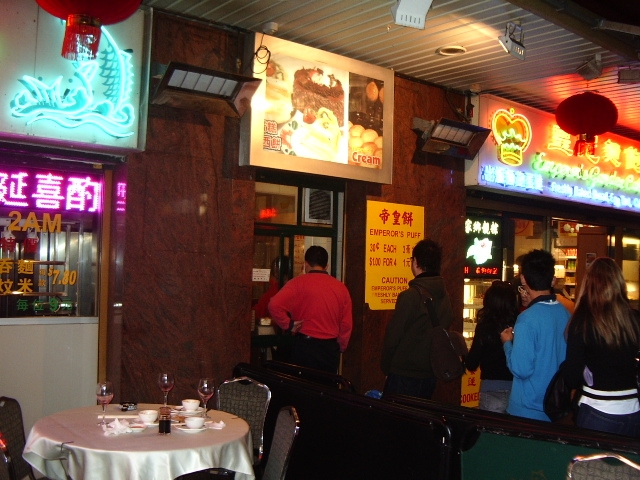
(12,429)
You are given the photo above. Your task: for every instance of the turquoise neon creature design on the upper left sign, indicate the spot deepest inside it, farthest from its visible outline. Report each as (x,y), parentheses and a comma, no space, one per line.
(77,105)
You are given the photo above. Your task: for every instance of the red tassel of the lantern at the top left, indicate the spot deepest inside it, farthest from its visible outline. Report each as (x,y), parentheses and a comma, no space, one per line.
(81,38)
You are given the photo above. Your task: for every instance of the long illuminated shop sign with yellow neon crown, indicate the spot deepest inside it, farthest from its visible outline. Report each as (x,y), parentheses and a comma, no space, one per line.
(529,154)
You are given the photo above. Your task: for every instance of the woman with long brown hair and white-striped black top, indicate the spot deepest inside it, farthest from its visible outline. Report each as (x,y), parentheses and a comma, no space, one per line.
(603,337)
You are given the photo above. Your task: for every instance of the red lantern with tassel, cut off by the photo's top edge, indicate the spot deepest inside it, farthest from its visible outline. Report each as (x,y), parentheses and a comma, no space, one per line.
(84,20)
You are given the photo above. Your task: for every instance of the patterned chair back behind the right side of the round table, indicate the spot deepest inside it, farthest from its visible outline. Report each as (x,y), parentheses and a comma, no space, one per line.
(248,399)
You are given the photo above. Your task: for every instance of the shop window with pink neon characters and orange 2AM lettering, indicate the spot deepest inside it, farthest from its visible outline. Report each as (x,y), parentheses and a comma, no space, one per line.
(49,230)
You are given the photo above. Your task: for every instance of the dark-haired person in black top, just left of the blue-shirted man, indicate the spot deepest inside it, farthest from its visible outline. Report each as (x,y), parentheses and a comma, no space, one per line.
(499,311)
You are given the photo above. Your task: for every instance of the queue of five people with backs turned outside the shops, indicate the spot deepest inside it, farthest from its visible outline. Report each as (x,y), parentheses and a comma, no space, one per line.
(524,335)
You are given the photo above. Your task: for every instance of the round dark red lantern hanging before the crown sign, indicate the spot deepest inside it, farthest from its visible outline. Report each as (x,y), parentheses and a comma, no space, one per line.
(586,114)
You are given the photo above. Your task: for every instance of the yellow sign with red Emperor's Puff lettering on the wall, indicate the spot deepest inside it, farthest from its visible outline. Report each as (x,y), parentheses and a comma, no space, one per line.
(393,230)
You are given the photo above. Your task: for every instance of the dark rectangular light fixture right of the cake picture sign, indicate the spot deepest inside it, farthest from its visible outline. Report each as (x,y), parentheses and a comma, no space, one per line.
(448,137)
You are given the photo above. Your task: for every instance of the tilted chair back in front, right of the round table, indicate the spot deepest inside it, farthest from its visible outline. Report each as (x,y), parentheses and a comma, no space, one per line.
(286,430)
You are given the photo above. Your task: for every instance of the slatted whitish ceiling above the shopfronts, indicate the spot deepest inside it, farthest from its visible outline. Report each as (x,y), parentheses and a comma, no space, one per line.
(365,30)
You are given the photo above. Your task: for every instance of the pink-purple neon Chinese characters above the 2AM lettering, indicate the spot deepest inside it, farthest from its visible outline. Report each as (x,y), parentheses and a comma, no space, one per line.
(50,190)
